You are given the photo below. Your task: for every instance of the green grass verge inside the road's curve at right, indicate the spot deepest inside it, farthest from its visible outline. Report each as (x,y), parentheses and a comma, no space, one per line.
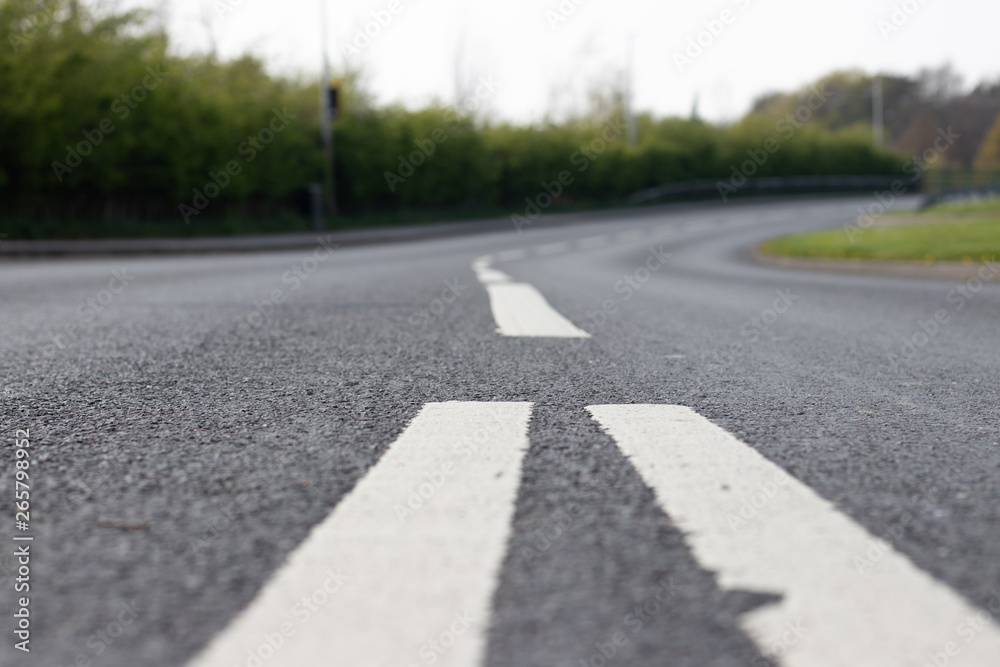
(967,233)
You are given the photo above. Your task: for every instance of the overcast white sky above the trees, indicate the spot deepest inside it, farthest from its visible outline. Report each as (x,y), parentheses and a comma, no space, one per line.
(768,45)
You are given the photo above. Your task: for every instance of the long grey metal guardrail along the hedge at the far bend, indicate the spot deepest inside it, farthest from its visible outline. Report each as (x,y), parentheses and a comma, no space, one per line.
(774,185)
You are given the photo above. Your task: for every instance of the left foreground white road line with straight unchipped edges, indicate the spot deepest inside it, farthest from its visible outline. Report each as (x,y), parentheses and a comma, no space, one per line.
(426,576)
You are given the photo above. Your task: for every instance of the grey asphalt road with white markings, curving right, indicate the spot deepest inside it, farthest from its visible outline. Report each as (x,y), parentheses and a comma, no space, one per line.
(610,441)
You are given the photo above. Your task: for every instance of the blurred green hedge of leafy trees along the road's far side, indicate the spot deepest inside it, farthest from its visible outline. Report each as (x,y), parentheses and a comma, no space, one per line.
(98,121)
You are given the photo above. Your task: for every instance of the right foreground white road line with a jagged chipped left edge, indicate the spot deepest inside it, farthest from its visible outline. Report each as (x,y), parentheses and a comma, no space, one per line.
(791,542)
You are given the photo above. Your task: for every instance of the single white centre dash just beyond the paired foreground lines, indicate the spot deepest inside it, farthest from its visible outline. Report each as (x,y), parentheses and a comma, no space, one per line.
(520,310)
